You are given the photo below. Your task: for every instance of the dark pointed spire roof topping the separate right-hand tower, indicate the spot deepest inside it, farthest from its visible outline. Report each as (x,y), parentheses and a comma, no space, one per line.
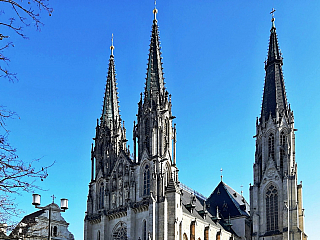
(274,95)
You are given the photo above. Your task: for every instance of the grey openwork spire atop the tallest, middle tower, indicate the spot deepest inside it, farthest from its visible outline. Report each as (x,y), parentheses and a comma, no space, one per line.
(154,80)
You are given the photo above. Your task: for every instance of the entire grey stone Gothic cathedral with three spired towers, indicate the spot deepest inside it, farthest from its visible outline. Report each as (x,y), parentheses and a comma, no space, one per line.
(138,195)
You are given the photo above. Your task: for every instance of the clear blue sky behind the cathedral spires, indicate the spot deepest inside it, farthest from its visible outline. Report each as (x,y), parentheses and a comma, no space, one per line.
(213,59)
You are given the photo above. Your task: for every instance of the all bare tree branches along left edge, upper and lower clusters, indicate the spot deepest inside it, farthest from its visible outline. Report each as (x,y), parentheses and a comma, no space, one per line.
(16,175)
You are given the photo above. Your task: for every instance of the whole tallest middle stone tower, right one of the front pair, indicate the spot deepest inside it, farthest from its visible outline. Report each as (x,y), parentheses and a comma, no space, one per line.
(154,138)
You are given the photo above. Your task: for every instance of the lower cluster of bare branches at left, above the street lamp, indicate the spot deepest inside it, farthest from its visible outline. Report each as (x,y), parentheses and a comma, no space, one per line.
(16,175)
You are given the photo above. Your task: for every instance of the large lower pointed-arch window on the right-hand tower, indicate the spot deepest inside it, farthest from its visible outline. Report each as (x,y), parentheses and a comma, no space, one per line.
(272,208)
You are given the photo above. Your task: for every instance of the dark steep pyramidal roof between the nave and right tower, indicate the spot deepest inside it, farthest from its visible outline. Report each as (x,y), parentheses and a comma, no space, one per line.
(229,202)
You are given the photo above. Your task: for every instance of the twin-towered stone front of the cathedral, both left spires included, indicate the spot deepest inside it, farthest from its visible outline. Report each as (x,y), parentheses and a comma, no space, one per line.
(135,197)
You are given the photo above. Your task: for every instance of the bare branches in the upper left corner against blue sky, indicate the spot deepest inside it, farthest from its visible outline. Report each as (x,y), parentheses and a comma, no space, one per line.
(21,13)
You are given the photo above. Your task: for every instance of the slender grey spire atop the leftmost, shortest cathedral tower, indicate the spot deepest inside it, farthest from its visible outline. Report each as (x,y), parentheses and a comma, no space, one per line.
(110,111)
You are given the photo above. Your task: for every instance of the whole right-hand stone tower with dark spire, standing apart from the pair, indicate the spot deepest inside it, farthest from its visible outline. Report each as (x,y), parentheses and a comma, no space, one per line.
(276,196)
